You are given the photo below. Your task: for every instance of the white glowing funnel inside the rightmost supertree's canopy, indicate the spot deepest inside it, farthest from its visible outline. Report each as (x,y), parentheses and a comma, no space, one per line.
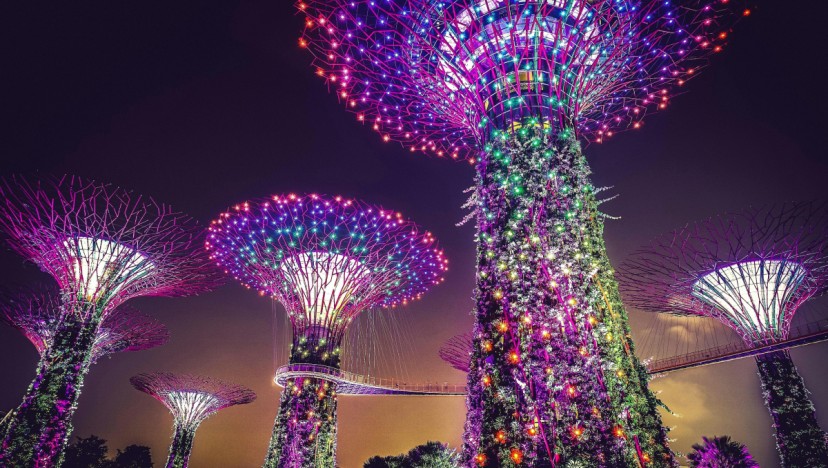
(754,295)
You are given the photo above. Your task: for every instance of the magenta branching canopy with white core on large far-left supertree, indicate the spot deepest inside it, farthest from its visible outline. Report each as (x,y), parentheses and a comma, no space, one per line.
(101,242)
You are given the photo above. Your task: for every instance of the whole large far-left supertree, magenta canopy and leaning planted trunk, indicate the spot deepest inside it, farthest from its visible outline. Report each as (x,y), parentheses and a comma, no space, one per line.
(103,246)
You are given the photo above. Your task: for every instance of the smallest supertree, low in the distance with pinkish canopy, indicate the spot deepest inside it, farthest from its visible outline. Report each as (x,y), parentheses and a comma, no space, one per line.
(191,399)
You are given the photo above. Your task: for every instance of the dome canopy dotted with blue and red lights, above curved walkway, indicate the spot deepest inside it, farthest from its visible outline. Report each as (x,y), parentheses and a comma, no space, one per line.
(320,255)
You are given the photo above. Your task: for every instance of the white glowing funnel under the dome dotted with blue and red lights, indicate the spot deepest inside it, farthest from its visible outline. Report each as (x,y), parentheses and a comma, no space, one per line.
(325,283)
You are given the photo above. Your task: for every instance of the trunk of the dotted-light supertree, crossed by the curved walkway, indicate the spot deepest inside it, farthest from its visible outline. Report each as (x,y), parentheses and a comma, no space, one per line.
(304,434)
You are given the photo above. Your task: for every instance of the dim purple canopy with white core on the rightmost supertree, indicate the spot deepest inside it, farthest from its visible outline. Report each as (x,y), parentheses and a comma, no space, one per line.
(751,269)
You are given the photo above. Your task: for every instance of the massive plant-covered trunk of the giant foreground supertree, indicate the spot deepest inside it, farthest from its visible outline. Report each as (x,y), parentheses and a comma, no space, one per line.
(554,380)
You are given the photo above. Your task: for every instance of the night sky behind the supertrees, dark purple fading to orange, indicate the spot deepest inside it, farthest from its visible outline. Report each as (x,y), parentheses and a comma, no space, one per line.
(205,104)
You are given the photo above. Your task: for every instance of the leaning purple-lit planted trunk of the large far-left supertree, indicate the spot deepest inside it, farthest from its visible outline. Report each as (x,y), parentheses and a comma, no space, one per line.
(39,429)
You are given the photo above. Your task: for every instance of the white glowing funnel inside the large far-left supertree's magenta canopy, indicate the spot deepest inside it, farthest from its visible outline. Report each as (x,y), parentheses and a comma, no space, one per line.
(102,267)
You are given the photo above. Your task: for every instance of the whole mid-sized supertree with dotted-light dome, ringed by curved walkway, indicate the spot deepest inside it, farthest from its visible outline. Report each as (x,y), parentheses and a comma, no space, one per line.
(325,260)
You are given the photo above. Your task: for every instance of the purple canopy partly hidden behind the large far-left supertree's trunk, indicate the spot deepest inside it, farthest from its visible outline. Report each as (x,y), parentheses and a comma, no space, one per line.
(36,314)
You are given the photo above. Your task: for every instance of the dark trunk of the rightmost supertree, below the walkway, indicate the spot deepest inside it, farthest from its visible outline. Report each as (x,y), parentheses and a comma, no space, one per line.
(799,439)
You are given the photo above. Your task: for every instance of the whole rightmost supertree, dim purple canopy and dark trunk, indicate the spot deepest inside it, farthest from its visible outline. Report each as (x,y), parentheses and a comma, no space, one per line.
(750,270)
